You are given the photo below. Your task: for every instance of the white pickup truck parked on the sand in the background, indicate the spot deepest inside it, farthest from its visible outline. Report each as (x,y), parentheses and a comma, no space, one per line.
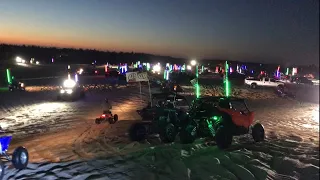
(265,82)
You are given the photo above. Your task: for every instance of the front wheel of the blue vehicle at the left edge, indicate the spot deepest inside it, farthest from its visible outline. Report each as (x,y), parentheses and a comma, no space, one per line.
(20,158)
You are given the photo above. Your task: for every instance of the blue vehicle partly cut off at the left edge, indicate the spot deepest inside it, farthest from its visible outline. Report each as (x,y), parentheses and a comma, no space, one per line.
(19,159)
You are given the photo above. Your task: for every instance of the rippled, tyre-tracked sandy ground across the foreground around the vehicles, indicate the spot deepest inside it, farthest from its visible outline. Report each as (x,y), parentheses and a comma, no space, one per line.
(65,143)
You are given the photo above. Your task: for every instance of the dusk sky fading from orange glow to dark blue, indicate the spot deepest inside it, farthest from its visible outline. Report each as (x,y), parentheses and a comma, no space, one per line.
(254,30)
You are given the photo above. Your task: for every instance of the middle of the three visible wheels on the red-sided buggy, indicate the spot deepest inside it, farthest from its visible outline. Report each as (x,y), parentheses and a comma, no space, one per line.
(223,137)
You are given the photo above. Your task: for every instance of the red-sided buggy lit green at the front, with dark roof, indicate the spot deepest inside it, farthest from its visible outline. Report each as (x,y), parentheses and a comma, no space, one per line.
(220,118)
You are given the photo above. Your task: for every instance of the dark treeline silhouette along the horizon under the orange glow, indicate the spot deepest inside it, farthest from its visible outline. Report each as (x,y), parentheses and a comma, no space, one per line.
(8,52)
